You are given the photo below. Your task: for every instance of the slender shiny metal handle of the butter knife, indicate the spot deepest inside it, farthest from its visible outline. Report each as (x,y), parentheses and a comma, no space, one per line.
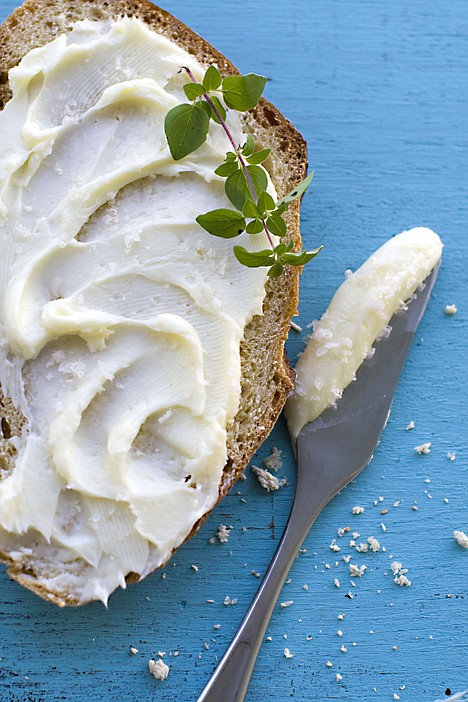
(231,678)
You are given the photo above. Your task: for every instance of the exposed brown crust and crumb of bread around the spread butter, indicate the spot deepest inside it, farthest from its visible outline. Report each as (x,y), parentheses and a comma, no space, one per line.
(266,374)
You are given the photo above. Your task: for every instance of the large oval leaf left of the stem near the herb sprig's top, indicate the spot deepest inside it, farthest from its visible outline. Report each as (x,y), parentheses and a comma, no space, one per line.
(186,127)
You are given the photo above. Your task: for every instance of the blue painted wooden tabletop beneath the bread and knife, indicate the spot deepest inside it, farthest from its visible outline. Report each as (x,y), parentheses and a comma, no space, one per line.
(380,91)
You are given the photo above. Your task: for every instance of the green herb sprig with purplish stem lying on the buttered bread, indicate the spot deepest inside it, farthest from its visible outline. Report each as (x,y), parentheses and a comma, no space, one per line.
(186,127)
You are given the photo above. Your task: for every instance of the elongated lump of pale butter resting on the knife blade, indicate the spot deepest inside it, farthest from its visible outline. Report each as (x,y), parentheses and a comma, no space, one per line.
(357,315)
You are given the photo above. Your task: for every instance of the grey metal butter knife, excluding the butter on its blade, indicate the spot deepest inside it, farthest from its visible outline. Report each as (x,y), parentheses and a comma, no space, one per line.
(331,451)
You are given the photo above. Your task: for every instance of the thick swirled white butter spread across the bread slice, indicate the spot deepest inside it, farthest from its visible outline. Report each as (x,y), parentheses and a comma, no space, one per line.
(120,318)
